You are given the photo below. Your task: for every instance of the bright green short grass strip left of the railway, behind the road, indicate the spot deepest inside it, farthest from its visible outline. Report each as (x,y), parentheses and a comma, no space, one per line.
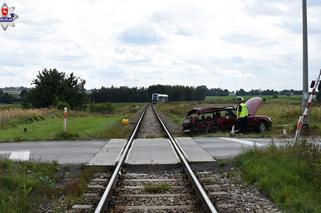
(83,127)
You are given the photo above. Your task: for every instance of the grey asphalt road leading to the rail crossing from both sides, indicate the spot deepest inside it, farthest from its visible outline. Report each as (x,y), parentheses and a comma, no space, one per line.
(81,152)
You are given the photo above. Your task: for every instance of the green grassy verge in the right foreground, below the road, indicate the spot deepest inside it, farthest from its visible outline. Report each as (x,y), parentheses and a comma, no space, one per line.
(290,176)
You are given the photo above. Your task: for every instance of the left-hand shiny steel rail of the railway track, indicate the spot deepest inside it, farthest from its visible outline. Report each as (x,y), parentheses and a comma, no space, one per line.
(114,178)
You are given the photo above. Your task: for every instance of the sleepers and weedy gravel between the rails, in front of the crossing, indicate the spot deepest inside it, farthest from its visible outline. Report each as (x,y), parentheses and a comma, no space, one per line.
(154,190)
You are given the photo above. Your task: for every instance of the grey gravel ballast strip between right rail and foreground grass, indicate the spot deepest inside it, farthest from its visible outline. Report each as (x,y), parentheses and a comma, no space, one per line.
(229,193)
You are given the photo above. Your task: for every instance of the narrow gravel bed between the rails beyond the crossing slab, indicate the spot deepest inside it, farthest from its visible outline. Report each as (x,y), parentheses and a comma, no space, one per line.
(150,127)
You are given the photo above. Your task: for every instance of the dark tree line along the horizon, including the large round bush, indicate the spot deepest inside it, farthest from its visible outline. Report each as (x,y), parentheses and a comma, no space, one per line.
(57,89)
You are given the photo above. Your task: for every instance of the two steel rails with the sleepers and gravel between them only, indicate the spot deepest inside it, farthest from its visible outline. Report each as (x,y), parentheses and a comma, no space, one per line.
(156,188)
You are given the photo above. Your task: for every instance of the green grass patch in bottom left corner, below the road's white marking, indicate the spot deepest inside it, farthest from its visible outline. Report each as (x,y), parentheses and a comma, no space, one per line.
(24,185)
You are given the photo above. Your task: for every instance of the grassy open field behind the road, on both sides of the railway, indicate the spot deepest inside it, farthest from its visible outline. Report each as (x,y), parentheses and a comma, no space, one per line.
(102,121)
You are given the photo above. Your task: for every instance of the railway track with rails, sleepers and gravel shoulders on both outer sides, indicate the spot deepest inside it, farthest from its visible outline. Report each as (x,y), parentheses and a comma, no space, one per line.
(163,188)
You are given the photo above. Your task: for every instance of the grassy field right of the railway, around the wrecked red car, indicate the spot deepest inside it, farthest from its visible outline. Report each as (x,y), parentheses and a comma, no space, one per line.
(283,110)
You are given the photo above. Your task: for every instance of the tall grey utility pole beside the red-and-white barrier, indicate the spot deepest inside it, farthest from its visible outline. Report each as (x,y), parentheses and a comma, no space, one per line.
(305,91)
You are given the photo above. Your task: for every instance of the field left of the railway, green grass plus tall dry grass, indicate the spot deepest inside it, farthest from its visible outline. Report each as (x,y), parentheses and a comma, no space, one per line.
(44,124)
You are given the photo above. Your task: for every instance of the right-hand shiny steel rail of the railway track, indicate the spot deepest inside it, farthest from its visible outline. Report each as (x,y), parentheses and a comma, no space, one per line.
(207,204)
